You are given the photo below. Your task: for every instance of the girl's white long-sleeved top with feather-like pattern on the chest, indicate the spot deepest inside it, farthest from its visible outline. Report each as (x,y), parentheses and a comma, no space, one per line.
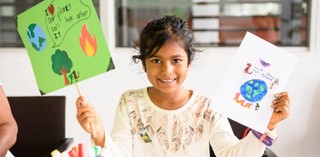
(143,129)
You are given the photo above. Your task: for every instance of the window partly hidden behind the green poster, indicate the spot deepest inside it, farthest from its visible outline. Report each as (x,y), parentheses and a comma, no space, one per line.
(9,36)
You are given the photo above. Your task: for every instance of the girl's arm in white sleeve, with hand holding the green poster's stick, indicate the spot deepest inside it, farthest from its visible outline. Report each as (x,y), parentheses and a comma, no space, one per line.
(119,143)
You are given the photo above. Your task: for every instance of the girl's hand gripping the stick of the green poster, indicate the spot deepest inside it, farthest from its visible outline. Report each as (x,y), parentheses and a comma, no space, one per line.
(87,114)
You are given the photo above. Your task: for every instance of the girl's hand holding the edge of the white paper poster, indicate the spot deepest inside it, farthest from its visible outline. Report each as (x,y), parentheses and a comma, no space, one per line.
(281,106)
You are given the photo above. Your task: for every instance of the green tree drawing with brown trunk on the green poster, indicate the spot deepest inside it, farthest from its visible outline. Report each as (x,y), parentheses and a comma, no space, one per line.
(61,64)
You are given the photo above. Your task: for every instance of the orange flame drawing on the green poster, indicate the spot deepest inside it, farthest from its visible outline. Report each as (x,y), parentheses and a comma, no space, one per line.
(87,42)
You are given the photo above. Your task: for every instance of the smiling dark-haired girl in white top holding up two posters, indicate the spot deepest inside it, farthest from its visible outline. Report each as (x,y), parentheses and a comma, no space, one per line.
(166,119)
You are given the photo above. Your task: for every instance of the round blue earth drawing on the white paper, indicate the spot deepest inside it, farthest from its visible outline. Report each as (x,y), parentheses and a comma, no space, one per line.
(253,90)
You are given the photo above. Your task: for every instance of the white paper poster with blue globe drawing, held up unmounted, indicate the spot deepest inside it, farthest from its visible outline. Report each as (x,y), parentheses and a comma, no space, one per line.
(258,71)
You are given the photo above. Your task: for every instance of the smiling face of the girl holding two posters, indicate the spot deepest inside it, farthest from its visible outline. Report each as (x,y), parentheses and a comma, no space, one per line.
(168,68)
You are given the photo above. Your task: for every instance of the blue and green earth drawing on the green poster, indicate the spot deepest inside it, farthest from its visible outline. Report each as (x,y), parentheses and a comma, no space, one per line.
(37,37)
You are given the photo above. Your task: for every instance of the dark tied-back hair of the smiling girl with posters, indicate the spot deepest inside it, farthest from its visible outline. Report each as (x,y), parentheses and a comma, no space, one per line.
(159,31)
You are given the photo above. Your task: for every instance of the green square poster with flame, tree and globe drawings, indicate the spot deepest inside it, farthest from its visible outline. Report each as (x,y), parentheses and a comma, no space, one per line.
(65,43)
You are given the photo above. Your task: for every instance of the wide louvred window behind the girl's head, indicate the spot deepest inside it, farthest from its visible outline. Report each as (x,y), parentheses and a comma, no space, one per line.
(220,22)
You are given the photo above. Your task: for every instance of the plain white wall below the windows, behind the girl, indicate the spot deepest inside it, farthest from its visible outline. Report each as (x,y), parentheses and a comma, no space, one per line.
(298,135)
